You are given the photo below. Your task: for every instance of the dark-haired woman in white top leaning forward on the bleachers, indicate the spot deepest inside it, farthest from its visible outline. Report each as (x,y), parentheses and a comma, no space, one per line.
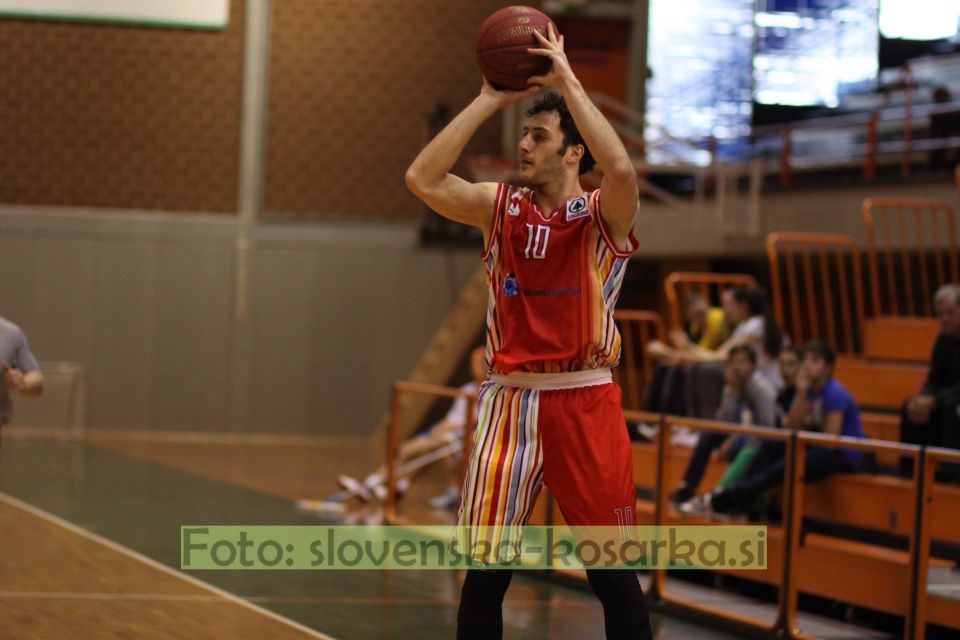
(746,310)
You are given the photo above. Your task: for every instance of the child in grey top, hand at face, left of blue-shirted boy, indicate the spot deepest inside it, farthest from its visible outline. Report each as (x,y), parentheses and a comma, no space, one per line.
(747,398)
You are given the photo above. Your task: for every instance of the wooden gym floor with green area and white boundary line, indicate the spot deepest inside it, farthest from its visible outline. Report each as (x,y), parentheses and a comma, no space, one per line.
(90,545)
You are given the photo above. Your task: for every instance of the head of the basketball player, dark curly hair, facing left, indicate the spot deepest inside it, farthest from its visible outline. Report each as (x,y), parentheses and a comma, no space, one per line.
(550,144)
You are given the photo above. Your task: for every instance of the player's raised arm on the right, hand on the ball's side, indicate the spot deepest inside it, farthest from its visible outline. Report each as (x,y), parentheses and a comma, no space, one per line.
(619,186)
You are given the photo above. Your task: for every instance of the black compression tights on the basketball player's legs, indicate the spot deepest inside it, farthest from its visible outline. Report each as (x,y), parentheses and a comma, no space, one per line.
(625,613)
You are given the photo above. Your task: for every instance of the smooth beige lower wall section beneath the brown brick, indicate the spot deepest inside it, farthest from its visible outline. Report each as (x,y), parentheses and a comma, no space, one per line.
(146,303)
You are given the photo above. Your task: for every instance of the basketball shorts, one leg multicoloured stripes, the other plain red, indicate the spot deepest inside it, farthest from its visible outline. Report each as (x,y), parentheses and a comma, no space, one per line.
(574,438)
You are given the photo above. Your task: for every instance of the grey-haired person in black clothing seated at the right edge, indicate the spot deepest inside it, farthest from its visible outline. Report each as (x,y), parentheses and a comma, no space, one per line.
(932,418)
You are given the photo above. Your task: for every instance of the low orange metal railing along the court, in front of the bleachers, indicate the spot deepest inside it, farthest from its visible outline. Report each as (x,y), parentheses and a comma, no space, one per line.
(786,573)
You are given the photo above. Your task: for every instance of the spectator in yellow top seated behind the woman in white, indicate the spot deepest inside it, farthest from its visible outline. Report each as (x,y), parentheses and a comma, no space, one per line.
(704,327)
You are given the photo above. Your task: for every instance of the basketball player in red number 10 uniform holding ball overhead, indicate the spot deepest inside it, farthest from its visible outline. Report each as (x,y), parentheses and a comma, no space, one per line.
(555,259)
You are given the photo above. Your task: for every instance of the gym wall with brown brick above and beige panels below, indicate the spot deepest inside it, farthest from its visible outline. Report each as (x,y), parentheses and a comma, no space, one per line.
(121,141)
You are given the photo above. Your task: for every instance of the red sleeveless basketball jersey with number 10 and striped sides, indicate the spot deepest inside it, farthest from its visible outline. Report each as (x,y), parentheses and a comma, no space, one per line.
(553,280)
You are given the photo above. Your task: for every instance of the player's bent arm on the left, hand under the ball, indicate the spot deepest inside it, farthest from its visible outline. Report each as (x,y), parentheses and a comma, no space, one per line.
(429,176)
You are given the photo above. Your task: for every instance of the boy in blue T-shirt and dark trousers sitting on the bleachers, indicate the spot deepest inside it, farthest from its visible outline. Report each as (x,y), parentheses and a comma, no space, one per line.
(821,404)
